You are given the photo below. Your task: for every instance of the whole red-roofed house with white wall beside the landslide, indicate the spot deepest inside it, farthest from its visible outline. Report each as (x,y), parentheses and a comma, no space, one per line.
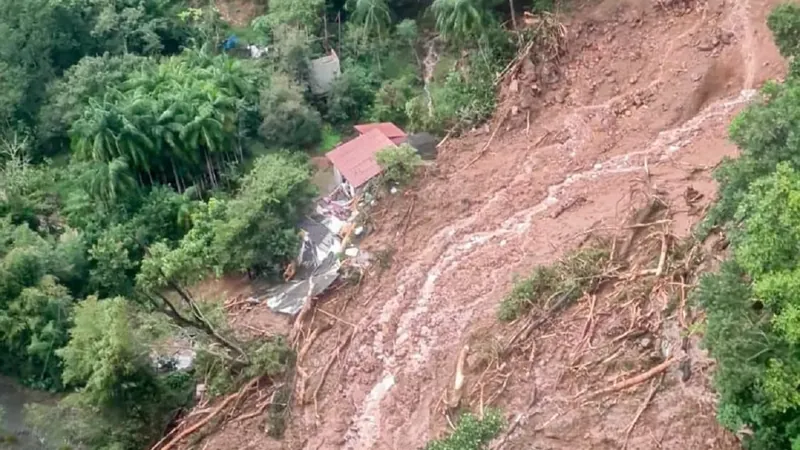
(354,162)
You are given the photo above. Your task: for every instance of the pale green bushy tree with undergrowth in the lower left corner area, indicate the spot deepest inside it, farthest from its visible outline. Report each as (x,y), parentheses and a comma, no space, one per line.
(122,402)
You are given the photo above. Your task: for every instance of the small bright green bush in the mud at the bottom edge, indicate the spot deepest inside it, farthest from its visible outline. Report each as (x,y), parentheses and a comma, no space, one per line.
(471,433)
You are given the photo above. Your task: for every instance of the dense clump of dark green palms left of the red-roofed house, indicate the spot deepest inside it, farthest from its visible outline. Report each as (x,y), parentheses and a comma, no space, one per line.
(178,123)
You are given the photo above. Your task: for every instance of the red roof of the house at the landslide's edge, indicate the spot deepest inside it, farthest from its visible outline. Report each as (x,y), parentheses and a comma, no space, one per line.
(355,159)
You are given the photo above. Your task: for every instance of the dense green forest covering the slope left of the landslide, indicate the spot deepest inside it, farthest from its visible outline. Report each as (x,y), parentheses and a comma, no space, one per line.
(137,157)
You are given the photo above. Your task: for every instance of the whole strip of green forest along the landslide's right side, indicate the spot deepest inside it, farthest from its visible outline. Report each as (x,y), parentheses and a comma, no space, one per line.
(753,302)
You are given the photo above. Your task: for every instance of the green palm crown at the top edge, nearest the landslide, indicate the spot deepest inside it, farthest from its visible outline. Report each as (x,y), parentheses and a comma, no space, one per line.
(460,19)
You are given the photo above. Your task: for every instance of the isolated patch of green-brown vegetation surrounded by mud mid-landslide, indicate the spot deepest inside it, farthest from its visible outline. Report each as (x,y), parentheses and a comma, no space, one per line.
(557,285)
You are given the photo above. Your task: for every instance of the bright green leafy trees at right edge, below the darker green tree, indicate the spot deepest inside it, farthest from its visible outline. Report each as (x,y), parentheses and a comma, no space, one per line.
(752,315)
